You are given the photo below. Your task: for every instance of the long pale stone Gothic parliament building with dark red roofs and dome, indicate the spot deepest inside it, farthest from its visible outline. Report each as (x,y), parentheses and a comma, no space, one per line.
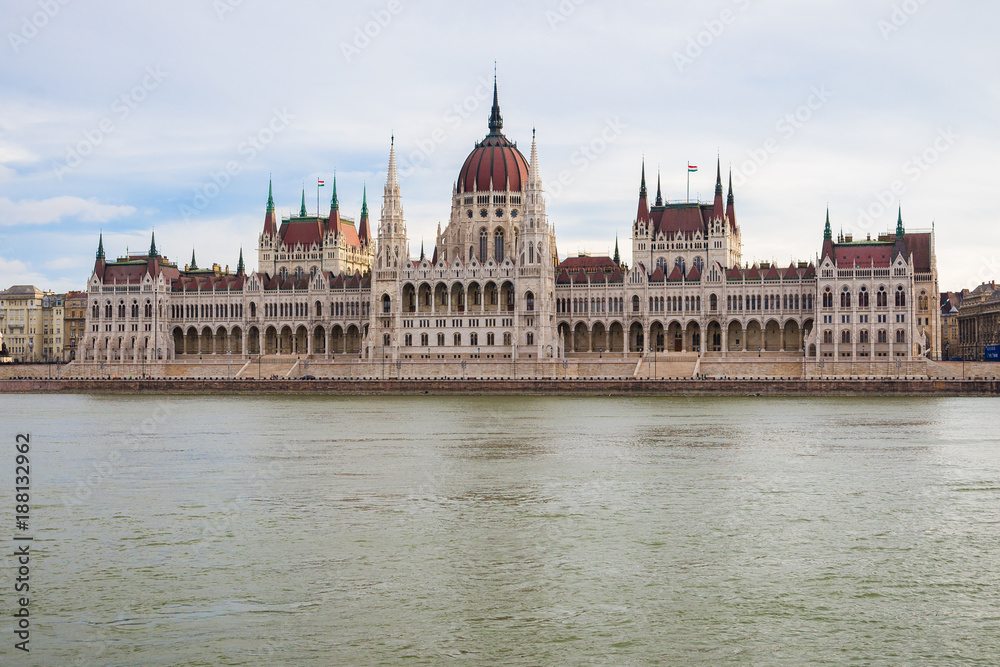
(494,288)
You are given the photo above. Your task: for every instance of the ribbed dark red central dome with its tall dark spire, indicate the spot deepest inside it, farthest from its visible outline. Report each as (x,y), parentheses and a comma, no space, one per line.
(495,163)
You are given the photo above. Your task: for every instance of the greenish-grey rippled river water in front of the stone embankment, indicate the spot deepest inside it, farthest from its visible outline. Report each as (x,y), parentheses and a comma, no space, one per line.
(521,531)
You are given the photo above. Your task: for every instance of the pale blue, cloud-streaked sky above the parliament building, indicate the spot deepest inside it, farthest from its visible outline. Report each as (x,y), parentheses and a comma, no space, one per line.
(122,118)
